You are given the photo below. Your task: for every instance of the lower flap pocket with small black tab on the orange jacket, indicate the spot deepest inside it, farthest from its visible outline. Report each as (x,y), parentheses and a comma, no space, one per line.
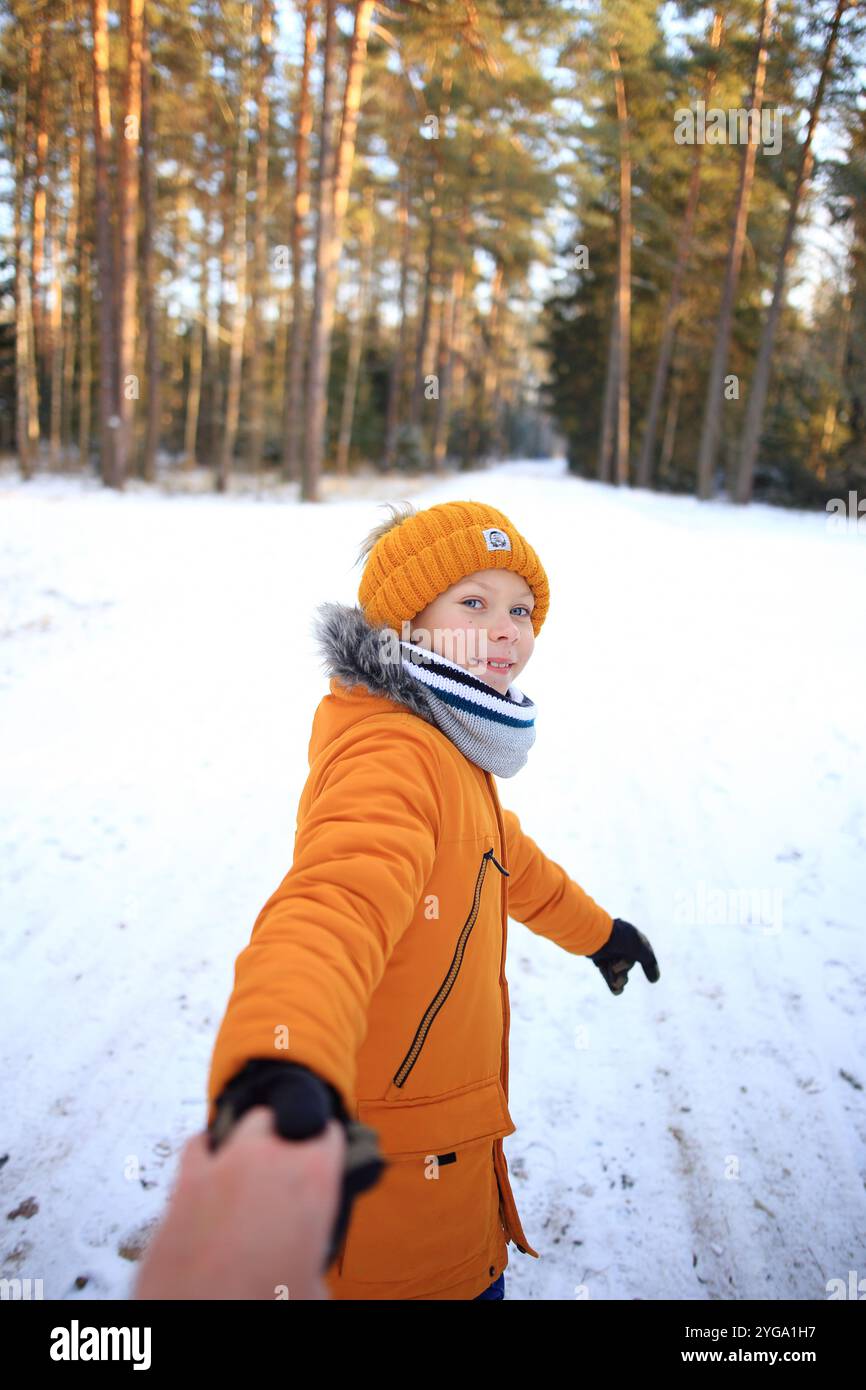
(437,1204)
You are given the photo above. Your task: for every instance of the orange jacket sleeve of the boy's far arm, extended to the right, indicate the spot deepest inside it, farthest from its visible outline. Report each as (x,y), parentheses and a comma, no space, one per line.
(550,903)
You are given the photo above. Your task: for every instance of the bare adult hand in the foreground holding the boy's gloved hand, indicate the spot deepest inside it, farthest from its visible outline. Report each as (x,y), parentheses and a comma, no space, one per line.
(251,1221)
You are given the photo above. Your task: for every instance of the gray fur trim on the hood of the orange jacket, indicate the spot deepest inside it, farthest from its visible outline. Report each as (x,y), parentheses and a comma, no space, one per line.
(354,651)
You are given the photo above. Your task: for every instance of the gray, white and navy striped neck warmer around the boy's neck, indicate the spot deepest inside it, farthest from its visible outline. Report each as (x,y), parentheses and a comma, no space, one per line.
(493,730)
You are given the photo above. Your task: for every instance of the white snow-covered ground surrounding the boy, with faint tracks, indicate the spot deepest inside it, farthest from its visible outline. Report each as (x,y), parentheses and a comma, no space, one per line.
(700,769)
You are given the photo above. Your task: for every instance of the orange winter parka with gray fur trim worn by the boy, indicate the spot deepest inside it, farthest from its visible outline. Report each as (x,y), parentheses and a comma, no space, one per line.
(380,964)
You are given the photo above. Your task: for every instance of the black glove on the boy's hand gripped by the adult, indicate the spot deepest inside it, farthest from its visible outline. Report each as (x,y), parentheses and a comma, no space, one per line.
(304,1104)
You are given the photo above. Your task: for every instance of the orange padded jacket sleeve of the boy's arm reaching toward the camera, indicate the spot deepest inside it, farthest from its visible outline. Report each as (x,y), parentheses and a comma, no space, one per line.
(369,828)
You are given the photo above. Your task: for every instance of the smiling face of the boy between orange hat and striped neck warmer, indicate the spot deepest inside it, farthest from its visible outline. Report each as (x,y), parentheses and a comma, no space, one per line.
(480,622)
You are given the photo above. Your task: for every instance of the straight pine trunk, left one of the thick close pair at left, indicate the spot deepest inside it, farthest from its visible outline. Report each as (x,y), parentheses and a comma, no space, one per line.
(109,419)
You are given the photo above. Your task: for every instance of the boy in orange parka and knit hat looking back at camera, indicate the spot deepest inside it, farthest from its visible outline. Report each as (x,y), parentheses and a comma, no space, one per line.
(373,988)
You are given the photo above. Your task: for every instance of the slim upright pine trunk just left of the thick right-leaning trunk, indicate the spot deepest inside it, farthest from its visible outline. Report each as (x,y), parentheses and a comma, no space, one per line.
(295,363)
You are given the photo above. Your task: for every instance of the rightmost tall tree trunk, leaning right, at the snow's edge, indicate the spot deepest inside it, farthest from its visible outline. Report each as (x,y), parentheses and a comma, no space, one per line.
(758,397)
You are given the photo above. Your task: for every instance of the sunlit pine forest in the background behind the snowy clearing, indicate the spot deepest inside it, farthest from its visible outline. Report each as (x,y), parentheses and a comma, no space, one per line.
(293,240)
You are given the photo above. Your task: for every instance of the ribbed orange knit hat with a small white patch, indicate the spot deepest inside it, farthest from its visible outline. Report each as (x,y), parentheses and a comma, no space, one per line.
(422,557)
